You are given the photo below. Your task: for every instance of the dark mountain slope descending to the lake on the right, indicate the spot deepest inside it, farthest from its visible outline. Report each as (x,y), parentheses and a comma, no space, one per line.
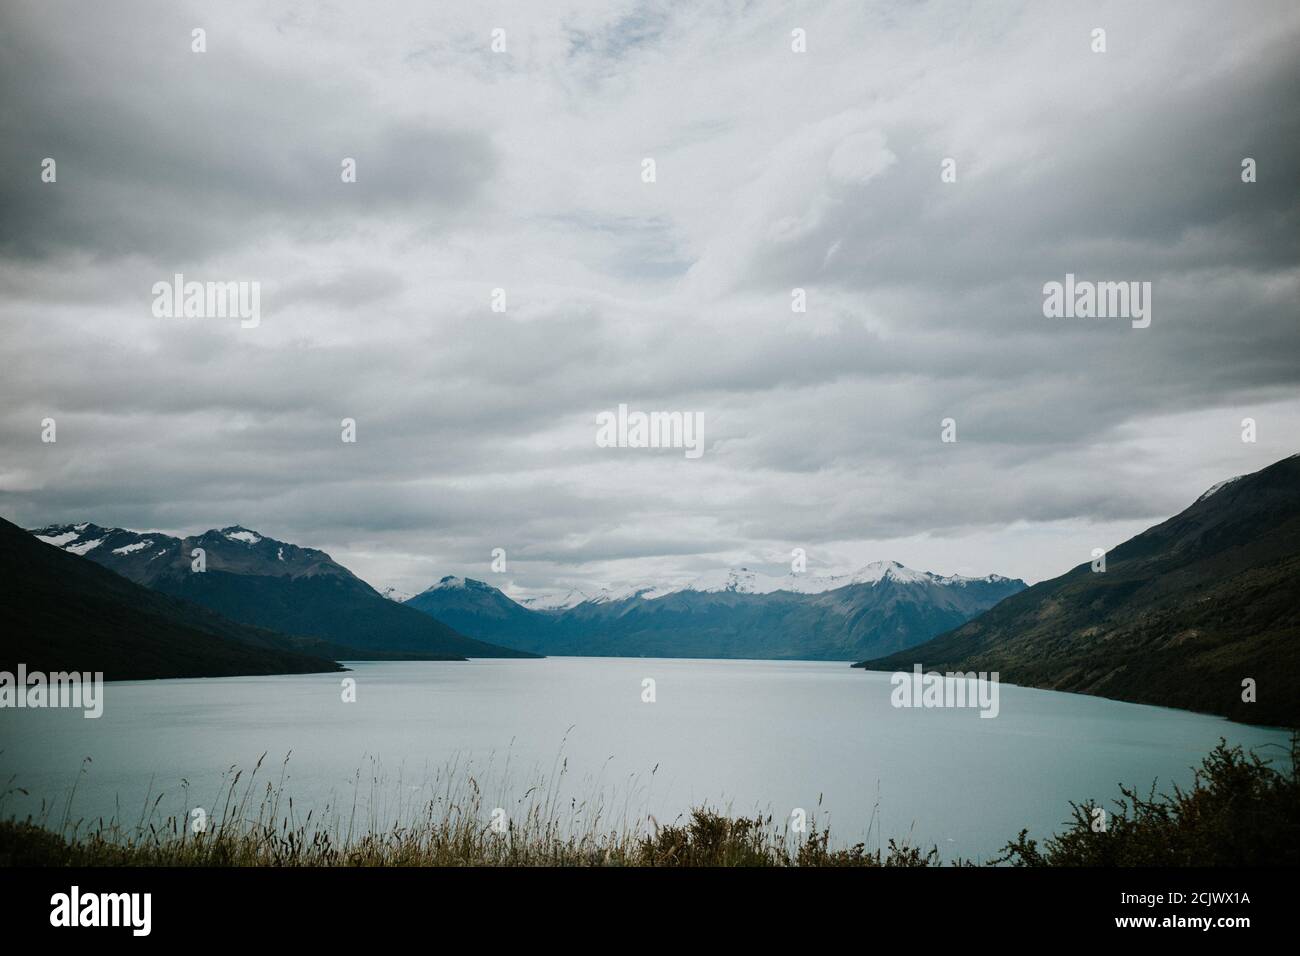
(1185,615)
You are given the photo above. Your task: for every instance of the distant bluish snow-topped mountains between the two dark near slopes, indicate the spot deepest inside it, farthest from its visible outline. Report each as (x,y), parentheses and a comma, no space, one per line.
(738,613)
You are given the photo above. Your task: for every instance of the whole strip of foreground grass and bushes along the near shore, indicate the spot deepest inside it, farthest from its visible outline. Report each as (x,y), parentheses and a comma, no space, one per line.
(1240,812)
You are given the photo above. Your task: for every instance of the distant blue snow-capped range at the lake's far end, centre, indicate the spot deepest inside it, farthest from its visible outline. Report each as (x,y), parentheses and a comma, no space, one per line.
(735,613)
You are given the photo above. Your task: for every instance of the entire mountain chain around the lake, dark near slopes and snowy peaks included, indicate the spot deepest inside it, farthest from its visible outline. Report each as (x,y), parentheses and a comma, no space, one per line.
(1201,612)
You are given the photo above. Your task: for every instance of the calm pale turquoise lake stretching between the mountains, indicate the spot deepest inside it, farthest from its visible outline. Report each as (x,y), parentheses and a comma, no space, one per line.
(747,736)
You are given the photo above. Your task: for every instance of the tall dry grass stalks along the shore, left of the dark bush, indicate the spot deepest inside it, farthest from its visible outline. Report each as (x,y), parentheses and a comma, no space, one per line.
(445,821)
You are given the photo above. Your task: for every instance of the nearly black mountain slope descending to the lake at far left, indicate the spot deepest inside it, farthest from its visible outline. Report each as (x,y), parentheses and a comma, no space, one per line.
(63,613)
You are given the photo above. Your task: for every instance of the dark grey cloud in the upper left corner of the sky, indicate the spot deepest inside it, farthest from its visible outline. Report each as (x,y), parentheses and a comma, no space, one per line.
(179,155)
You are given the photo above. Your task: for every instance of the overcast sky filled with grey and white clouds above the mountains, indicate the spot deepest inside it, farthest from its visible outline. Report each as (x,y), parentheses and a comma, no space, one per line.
(523,171)
